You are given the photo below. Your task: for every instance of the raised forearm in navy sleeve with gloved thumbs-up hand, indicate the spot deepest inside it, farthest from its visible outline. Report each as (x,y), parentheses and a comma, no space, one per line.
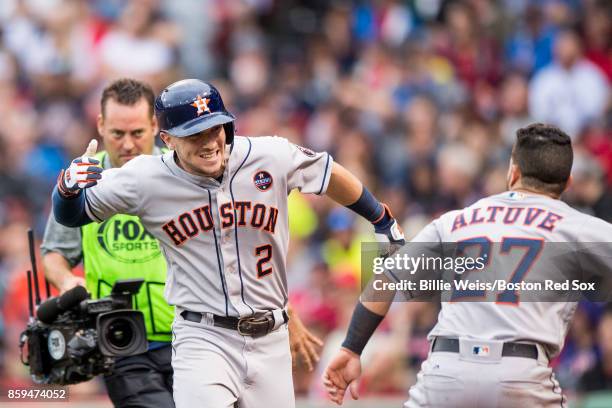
(68,202)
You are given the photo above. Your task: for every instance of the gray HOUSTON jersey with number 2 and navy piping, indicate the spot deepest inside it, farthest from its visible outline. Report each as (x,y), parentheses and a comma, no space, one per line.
(225,242)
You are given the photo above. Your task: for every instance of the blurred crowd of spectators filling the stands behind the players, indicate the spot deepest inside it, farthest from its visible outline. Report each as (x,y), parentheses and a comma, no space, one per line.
(418,98)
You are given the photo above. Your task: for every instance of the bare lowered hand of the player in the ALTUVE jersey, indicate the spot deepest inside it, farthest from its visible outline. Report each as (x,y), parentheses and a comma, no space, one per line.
(342,373)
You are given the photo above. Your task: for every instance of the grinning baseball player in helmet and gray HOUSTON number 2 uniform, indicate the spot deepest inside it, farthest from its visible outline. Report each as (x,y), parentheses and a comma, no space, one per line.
(217,203)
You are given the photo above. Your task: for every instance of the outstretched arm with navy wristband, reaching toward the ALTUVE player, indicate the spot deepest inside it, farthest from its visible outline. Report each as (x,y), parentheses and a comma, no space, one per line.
(346,189)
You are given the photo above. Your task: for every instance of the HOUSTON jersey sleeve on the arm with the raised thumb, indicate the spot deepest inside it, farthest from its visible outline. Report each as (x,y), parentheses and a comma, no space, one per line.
(116,193)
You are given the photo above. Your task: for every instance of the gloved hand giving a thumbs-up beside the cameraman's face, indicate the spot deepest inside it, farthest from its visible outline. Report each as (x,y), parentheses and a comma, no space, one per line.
(83,172)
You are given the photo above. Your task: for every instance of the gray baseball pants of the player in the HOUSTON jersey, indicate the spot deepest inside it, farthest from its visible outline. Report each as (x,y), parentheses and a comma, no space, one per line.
(219,368)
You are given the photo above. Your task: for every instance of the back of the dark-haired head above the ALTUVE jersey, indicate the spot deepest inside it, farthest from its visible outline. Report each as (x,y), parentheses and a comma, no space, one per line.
(543,154)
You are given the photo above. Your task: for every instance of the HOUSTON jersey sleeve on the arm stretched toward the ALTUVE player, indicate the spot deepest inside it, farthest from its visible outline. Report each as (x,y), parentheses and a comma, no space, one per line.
(308,171)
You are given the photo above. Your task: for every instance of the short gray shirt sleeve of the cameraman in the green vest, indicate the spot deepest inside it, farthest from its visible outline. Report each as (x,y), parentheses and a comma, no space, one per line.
(63,240)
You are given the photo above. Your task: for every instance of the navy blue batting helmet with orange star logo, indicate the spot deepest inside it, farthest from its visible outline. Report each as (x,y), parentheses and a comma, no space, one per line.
(190,106)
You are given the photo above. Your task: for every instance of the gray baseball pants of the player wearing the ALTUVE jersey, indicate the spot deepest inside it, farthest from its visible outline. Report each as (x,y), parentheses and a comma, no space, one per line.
(465,379)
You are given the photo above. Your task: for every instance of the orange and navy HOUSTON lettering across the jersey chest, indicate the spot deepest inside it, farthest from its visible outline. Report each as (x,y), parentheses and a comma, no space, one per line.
(191,223)
